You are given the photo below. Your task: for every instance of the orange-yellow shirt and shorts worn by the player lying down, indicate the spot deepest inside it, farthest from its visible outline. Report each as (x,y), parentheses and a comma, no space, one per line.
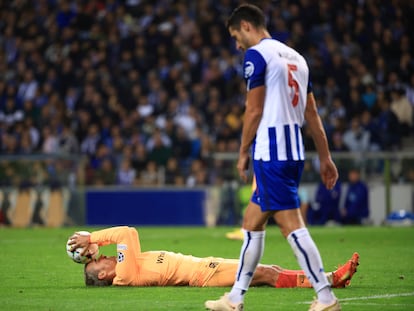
(161,268)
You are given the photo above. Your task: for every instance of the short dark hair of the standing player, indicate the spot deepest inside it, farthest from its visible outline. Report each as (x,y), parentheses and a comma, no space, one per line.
(247,12)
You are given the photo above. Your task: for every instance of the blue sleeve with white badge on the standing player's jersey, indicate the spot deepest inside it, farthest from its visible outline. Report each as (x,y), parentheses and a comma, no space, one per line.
(254,69)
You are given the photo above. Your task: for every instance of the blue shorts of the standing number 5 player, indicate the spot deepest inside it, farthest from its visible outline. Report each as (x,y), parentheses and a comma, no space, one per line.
(277,184)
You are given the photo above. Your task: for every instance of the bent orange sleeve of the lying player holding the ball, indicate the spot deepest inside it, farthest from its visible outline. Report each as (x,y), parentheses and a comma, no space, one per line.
(128,248)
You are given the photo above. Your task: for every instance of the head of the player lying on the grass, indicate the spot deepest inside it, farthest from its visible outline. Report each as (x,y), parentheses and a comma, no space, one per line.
(100,272)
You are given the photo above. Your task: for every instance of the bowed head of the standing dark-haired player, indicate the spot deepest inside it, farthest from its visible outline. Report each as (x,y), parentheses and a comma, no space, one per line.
(245,24)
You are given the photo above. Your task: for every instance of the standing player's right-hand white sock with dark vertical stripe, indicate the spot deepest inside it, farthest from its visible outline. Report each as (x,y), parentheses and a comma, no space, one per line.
(310,261)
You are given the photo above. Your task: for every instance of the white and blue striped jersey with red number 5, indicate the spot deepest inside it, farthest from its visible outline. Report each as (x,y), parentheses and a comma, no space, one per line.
(285,74)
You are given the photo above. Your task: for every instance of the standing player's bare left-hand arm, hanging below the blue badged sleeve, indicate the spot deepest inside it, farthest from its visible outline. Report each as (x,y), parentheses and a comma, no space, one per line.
(252,117)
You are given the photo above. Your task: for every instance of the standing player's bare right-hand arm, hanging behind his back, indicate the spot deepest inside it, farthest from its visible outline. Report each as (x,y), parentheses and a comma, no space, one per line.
(328,171)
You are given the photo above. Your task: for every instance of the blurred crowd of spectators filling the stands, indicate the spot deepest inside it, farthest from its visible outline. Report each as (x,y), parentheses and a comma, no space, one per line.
(135,87)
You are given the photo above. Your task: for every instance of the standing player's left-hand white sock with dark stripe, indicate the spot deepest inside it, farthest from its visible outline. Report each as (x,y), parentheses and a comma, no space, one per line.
(250,255)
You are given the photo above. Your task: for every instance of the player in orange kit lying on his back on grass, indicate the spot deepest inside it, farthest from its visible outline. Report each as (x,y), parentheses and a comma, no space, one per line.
(162,268)
